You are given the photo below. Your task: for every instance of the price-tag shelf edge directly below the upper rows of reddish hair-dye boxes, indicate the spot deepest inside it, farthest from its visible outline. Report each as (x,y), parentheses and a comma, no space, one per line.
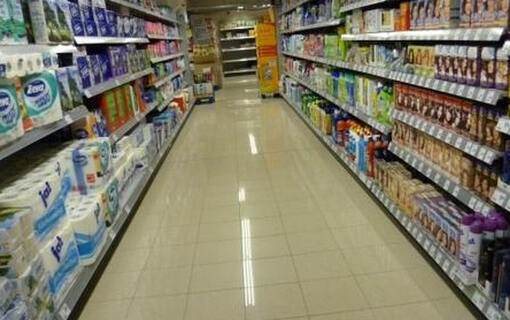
(473,148)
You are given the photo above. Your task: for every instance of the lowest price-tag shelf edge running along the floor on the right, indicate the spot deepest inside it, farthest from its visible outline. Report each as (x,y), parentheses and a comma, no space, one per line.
(442,258)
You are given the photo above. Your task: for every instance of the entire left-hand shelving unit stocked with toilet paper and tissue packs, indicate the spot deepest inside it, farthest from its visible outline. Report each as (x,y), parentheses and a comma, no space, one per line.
(92,97)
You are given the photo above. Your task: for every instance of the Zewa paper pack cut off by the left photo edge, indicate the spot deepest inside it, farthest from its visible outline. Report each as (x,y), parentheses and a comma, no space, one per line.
(11,125)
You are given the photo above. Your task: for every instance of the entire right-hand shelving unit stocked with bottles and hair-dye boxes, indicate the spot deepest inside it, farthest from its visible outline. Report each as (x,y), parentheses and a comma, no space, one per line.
(422,125)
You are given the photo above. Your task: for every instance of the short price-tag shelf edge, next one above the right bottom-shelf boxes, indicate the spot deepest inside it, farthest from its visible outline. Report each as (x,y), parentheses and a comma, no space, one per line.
(440,178)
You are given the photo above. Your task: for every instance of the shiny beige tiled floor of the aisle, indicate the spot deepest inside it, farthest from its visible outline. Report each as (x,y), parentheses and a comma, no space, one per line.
(250,217)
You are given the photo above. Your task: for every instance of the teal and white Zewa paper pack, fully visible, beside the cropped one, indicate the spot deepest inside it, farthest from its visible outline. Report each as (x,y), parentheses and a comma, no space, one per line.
(41,98)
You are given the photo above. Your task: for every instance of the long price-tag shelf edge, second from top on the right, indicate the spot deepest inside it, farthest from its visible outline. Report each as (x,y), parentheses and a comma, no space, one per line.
(484,95)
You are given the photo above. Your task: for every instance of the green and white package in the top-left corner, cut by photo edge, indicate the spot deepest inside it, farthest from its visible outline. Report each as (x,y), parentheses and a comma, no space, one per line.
(12,23)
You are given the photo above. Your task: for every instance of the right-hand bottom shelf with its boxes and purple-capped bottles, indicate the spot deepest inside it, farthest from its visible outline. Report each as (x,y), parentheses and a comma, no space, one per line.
(407,200)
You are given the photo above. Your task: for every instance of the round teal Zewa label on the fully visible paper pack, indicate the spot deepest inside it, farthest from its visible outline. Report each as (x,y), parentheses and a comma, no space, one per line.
(40,92)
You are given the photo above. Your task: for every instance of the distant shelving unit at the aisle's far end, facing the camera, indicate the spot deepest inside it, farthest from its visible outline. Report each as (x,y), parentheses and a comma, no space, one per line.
(238,48)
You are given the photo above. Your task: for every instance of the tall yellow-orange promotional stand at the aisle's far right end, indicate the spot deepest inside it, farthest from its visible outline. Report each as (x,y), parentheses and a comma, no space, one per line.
(267,59)
